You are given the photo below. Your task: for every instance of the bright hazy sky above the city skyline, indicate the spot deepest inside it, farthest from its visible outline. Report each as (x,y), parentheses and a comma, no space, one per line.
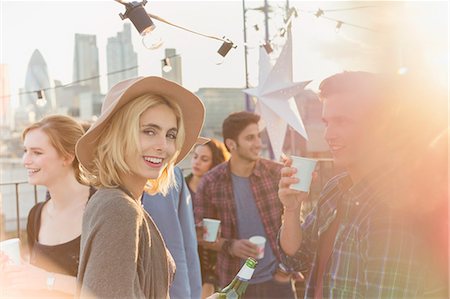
(416,28)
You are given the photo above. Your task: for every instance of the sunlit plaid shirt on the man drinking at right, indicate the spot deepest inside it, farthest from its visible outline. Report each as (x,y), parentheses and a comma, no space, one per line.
(374,253)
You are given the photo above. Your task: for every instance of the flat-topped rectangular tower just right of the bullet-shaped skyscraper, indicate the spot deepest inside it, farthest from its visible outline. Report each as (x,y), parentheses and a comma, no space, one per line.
(85,62)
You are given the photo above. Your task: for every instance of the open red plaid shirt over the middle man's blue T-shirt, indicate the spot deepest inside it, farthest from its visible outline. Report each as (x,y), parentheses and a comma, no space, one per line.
(215,199)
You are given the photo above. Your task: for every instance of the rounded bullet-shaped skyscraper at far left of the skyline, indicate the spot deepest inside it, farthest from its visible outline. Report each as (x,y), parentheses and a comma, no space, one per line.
(38,79)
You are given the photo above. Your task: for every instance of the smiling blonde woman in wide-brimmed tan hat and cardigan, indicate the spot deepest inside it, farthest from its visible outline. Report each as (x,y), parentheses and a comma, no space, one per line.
(146,126)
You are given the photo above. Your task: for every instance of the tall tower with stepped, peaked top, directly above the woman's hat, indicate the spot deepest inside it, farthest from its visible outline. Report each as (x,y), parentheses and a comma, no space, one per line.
(120,56)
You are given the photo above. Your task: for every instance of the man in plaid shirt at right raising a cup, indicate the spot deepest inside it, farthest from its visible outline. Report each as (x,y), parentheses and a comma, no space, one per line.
(356,243)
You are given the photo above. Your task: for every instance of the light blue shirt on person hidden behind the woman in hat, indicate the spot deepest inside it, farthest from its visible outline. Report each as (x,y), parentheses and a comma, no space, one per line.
(174,217)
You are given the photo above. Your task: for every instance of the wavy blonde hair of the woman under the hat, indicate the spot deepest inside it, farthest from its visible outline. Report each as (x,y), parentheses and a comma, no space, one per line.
(121,138)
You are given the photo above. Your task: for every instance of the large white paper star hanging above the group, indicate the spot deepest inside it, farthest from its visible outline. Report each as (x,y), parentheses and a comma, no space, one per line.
(275,97)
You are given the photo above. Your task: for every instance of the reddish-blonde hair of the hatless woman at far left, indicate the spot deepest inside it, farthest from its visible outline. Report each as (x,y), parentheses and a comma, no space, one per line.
(63,132)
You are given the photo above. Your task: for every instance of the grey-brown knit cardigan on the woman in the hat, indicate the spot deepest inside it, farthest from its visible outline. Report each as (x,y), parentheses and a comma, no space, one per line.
(122,252)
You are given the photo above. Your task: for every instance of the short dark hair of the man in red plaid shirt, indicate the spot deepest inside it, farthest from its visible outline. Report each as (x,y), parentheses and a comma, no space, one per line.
(236,122)
